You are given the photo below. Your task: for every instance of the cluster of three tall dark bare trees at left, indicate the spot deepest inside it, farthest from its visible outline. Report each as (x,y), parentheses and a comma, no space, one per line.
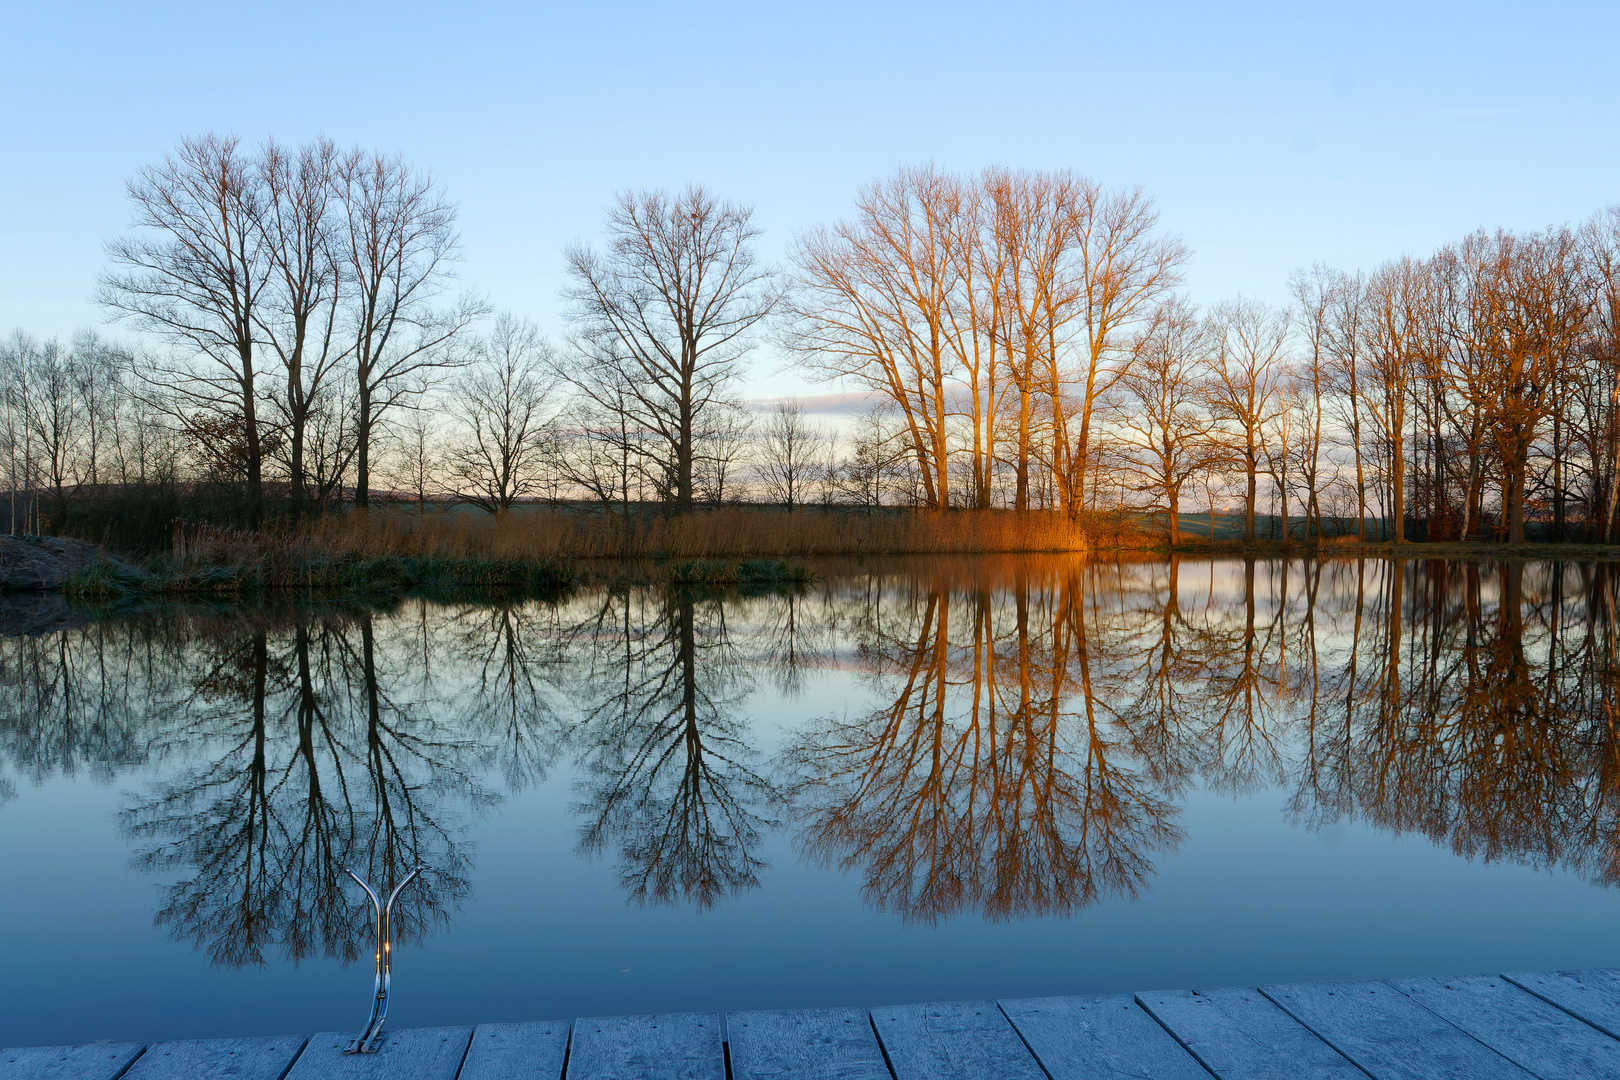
(289,287)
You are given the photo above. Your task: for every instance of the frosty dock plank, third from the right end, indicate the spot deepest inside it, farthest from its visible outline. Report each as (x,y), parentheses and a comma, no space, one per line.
(1389,1034)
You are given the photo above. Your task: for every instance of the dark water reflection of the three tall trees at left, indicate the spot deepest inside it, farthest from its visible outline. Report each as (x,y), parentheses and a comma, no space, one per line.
(305,765)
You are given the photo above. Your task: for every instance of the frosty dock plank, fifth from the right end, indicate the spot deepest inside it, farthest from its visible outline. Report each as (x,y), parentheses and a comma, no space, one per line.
(1096,1039)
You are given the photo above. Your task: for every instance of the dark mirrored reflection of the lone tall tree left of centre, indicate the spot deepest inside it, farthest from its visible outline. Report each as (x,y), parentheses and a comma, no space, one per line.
(667,773)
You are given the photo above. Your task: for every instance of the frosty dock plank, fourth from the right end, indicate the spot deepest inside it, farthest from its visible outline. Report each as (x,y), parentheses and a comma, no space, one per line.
(1242,1035)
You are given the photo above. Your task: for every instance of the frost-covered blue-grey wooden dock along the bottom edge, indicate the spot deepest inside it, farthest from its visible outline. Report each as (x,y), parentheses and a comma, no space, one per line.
(1554,1026)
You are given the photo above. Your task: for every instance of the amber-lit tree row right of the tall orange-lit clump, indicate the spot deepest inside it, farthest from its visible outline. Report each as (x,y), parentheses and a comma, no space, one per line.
(1481,378)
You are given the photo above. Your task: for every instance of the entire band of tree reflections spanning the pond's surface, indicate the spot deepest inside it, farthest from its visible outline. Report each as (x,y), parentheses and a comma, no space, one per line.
(1038,725)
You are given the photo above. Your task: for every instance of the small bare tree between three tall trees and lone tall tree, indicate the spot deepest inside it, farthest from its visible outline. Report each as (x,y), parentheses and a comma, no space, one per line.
(501,404)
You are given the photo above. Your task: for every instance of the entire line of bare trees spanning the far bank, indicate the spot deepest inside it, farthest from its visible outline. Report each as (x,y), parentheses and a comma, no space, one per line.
(1020,336)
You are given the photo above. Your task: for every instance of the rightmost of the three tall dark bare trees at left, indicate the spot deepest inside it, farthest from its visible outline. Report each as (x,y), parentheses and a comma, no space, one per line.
(399,247)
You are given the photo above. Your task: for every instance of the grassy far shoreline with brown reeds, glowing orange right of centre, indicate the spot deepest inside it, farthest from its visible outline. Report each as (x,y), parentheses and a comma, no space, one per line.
(746,548)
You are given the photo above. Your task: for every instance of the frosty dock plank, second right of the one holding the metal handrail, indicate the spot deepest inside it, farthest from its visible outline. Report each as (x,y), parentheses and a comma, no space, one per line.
(665,1047)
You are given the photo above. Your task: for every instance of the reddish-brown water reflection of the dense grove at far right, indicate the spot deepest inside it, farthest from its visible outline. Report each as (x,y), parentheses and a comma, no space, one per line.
(1488,723)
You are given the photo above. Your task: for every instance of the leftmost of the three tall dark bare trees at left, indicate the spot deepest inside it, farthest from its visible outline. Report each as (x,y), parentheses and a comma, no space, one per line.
(195,276)
